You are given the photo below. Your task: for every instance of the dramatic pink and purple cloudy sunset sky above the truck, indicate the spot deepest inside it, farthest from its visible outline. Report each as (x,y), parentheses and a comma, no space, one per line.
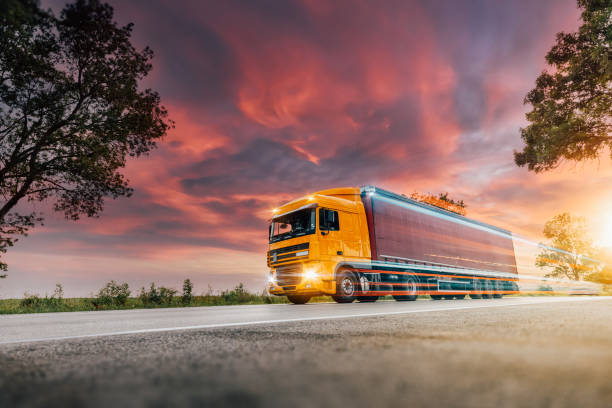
(277,99)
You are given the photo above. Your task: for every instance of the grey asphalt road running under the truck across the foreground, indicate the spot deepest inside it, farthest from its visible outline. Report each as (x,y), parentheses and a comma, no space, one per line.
(525,352)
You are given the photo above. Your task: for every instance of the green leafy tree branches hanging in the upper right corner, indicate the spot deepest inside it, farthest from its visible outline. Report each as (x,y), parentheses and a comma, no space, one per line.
(572,105)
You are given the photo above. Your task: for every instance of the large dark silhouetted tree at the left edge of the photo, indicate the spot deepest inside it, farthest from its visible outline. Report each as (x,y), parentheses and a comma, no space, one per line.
(71,111)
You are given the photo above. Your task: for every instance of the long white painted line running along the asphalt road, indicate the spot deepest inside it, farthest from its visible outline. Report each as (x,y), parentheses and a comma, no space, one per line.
(511,302)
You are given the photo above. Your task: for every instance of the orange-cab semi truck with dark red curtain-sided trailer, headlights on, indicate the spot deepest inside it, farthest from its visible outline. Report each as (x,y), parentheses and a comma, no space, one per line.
(361,243)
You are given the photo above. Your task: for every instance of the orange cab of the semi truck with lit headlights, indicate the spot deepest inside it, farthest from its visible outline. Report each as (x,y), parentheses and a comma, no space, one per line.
(310,237)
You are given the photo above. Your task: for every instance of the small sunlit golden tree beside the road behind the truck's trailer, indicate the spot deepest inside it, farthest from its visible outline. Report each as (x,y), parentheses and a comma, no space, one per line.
(569,234)
